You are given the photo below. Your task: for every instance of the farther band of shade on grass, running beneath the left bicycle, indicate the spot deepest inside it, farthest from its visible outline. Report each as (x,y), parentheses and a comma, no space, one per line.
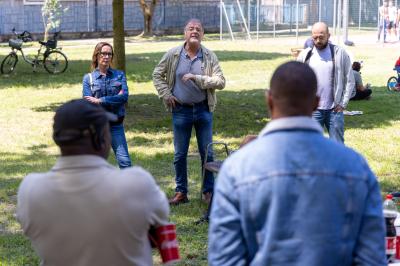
(139,68)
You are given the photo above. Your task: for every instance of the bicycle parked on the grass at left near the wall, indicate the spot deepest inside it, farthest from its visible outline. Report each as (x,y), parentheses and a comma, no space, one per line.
(52,59)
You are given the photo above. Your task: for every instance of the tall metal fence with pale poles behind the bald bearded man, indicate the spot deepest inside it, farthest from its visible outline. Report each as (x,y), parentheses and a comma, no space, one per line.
(260,18)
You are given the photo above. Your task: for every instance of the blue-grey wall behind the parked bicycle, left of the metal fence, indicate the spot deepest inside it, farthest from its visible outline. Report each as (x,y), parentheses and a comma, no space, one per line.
(80,16)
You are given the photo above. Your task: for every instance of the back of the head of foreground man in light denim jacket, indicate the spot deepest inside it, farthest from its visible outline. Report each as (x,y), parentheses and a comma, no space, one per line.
(293,91)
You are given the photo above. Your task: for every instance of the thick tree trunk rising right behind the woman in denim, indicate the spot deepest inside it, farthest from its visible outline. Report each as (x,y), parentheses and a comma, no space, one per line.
(119,34)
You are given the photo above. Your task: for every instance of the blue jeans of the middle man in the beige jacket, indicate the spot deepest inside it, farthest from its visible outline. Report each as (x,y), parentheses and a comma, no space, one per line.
(183,119)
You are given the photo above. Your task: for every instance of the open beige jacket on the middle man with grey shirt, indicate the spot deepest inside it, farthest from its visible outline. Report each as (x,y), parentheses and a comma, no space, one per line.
(213,78)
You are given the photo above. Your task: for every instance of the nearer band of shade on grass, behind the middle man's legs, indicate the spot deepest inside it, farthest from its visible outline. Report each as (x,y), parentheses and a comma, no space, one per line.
(244,112)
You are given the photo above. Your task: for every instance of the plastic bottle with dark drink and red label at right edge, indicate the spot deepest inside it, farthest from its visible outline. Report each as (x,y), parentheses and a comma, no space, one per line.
(390,214)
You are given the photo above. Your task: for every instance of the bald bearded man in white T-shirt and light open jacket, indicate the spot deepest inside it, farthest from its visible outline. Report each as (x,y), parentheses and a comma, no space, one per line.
(332,66)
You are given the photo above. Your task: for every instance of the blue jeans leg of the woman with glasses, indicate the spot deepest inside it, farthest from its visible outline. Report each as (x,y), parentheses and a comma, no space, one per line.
(120,148)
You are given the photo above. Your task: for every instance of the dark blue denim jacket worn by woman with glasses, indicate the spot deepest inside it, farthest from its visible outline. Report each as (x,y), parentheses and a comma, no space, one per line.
(111,89)
